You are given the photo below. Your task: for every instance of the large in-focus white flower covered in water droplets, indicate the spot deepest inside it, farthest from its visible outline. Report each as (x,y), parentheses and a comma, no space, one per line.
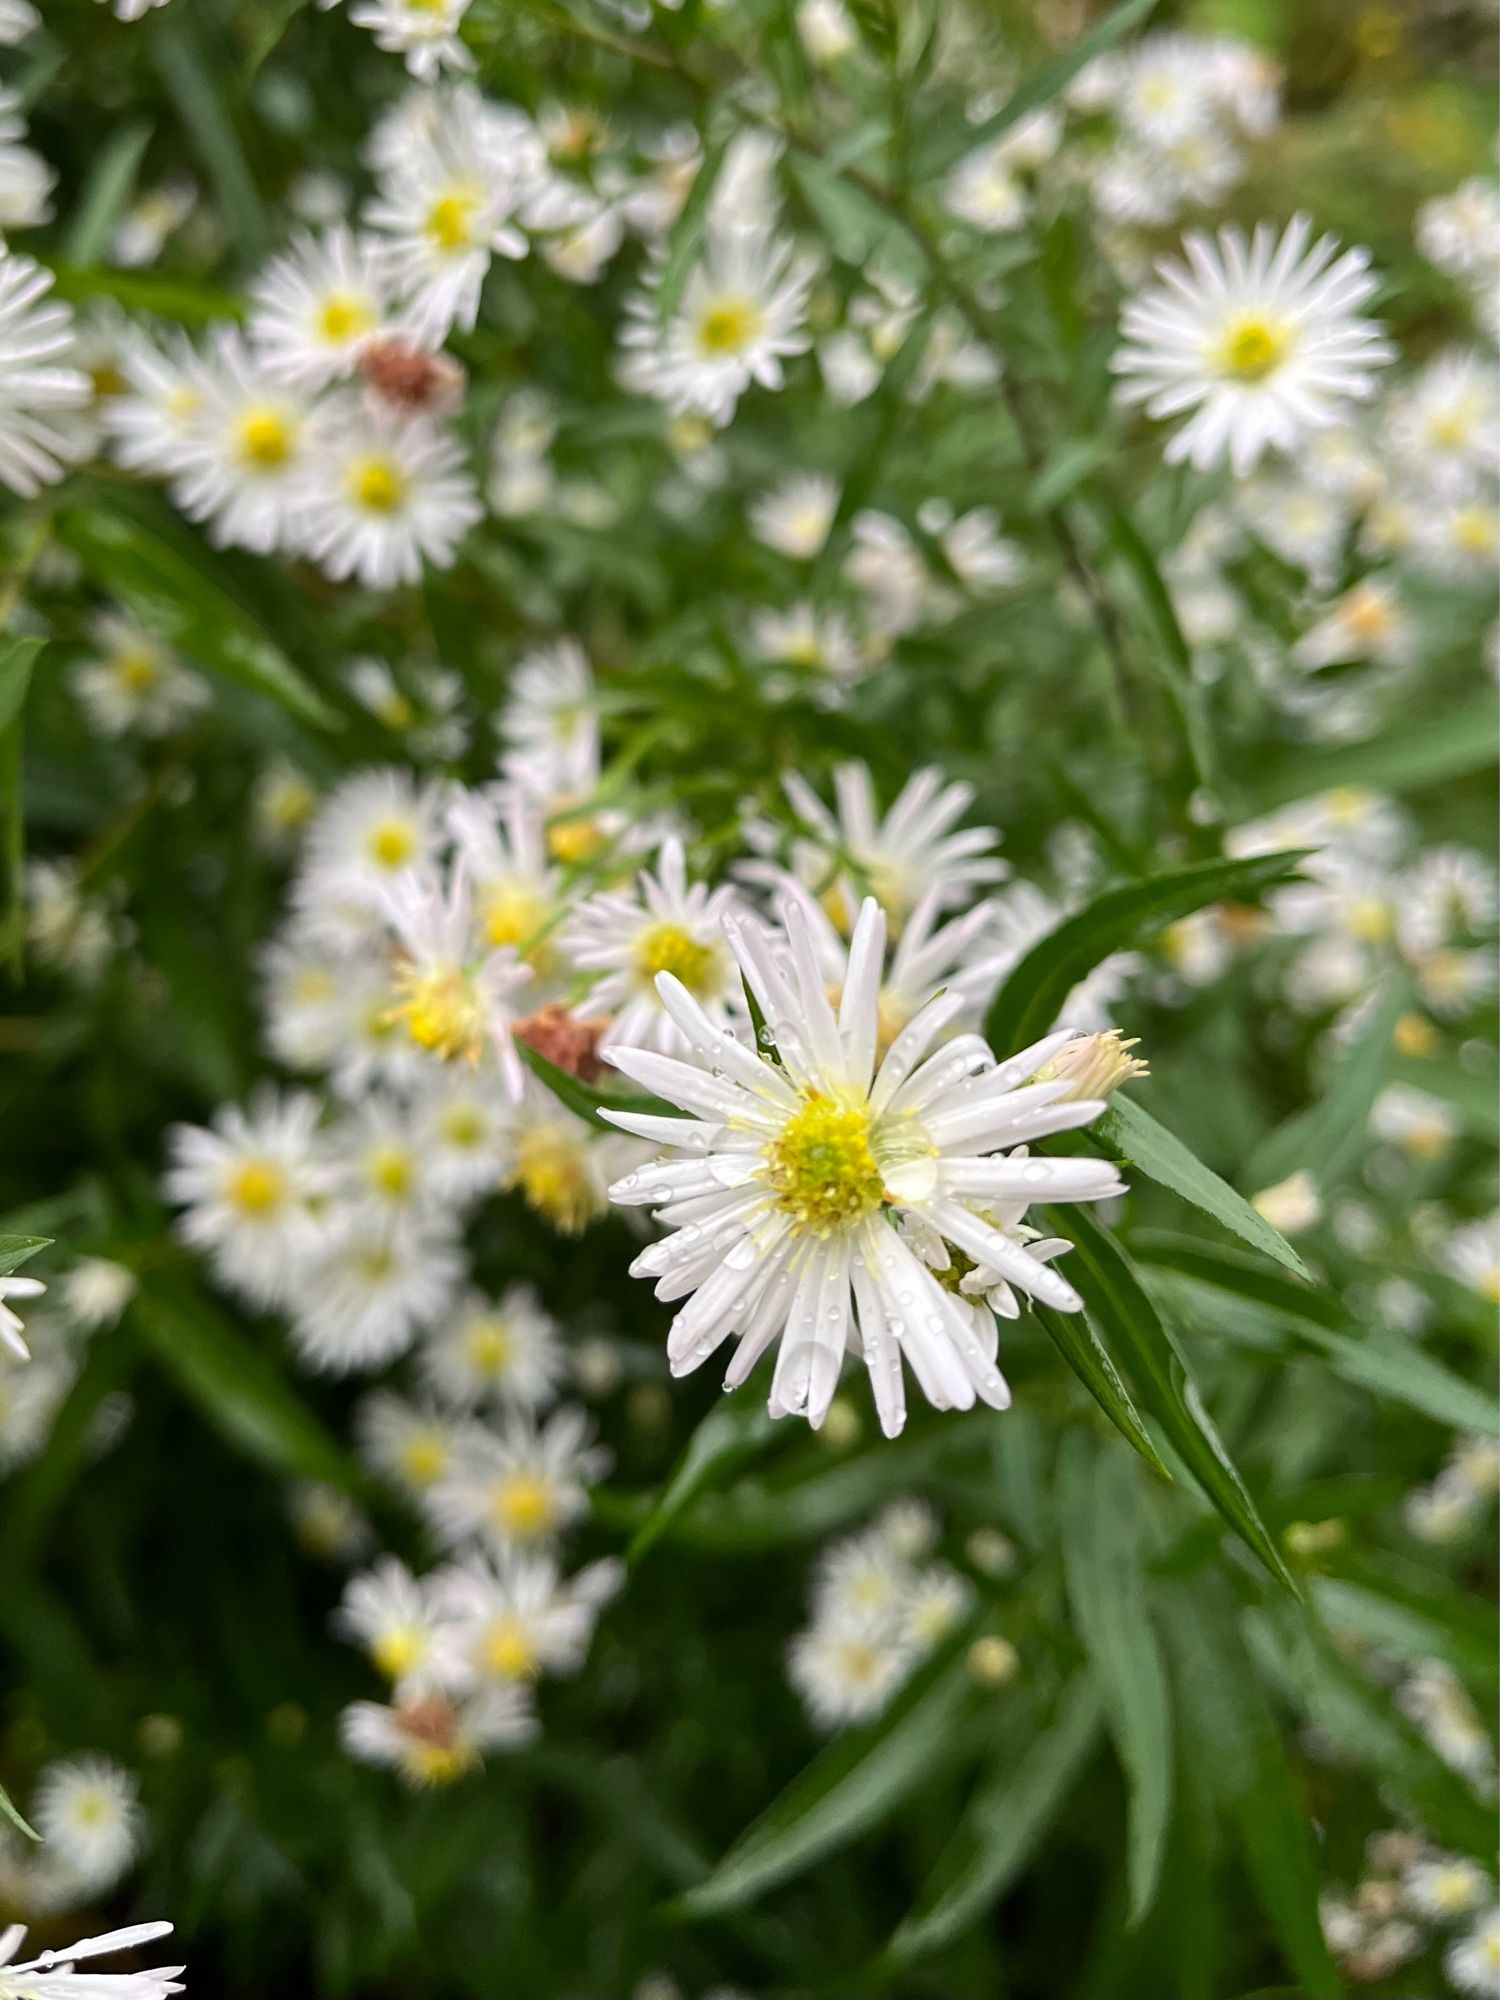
(797,1167)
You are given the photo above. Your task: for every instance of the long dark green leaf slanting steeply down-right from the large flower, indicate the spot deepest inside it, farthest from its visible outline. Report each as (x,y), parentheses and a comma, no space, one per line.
(1161,1379)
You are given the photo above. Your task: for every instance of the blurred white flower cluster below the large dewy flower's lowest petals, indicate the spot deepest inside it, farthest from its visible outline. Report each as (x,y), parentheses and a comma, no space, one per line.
(879,1609)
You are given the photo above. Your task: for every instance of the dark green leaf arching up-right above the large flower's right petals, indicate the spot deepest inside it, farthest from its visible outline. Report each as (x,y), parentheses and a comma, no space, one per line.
(1039,987)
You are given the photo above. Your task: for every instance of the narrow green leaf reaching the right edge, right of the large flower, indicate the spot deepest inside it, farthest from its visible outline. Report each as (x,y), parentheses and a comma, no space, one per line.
(1385,1365)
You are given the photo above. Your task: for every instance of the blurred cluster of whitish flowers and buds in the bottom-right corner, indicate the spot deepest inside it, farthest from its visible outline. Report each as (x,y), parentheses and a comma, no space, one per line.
(1413,1895)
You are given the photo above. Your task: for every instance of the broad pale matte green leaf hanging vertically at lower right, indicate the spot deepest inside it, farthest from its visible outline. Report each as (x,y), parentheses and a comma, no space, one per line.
(1107,1591)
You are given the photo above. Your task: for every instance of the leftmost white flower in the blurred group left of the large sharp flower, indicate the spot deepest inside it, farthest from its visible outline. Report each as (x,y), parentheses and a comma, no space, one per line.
(253,1189)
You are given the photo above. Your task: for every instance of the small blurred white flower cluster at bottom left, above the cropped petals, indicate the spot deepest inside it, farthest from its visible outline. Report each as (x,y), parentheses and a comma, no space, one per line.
(89,1821)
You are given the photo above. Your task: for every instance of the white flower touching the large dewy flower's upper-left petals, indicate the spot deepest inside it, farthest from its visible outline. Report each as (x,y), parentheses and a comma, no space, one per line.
(669,925)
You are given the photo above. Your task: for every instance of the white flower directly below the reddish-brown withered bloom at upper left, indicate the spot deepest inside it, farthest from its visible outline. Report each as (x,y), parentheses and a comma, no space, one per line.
(381,495)
